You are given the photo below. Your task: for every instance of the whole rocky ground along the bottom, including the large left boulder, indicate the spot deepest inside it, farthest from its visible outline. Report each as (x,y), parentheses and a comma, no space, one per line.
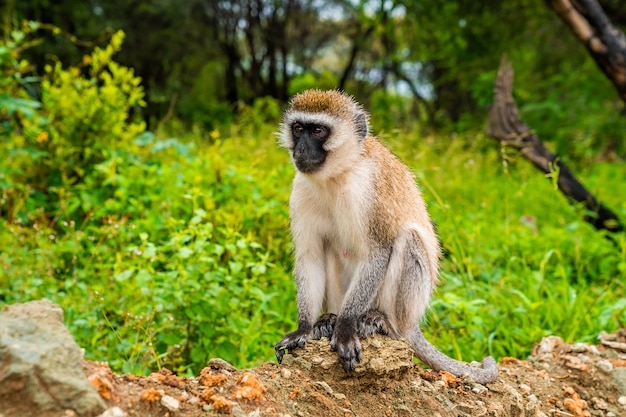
(40,375)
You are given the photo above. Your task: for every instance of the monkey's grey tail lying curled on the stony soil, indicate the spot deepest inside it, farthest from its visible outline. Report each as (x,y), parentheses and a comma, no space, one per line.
(432,357)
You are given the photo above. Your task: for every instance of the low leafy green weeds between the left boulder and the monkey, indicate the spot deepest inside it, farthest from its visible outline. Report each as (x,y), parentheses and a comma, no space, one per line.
(188,261)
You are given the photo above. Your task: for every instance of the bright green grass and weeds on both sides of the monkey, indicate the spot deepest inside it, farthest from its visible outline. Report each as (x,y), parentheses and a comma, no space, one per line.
(191,256)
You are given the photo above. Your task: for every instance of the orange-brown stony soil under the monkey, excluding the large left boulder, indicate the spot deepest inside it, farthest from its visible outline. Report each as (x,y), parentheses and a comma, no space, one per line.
(559,379)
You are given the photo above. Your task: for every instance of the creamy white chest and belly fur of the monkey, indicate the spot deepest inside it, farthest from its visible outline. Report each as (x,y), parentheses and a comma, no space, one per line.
(330,224)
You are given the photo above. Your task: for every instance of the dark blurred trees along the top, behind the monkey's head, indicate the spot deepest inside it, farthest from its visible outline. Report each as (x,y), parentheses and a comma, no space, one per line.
(422,62)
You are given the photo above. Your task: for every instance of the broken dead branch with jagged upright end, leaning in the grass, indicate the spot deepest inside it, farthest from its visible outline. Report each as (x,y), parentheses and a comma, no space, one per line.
(506,126)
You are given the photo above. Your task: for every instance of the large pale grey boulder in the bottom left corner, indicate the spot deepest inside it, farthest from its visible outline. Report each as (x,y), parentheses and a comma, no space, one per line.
(40,364)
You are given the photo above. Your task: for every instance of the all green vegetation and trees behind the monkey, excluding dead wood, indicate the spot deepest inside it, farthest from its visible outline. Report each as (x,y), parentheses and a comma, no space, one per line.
(141,187)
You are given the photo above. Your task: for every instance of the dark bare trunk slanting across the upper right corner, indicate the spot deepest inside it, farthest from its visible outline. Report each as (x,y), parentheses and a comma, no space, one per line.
(605,42)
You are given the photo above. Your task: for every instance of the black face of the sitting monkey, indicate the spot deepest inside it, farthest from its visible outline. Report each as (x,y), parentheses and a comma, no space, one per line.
(308,139)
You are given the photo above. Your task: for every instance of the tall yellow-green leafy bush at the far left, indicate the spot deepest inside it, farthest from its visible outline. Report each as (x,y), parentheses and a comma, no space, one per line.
(67,146)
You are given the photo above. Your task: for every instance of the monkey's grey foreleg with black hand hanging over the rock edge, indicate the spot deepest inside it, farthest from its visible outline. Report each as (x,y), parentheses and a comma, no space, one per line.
(357,302)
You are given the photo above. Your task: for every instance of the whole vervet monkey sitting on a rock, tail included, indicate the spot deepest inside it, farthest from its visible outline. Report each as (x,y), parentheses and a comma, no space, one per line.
(366,251)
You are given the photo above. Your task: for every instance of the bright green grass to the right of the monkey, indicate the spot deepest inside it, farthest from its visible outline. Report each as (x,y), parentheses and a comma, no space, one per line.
(519,262)
